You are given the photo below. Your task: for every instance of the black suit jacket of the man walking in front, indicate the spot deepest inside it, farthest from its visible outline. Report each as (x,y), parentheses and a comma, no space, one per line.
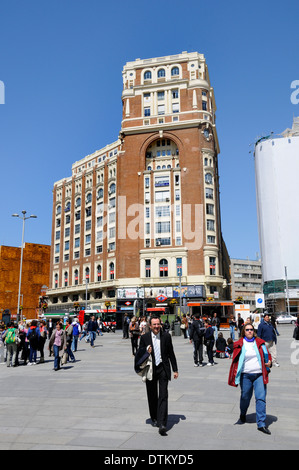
(167,352)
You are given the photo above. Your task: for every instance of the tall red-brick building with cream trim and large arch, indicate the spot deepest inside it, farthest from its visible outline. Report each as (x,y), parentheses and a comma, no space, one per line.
(142,211)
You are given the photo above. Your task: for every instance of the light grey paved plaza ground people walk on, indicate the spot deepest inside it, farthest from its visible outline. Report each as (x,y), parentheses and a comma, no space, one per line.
(100,403)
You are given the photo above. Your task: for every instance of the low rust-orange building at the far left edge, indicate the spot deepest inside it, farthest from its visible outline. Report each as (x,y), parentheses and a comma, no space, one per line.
(35,274)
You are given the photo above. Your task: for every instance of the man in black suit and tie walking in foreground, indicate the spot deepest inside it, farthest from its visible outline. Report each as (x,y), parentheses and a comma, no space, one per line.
(159,344)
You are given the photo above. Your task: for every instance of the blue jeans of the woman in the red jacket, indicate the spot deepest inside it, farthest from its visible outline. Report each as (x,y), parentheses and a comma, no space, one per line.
(248,383)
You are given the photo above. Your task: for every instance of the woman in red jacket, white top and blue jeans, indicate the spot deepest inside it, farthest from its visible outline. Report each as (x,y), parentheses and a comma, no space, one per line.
(250,368)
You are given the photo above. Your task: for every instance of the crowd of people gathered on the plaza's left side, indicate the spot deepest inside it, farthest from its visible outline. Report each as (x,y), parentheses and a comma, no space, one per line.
(21,343)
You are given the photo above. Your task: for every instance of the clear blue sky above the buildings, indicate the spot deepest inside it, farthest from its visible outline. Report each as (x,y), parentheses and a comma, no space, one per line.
(61,64)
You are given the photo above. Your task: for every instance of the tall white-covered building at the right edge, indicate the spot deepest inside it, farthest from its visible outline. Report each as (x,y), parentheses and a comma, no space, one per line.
(277,170)
